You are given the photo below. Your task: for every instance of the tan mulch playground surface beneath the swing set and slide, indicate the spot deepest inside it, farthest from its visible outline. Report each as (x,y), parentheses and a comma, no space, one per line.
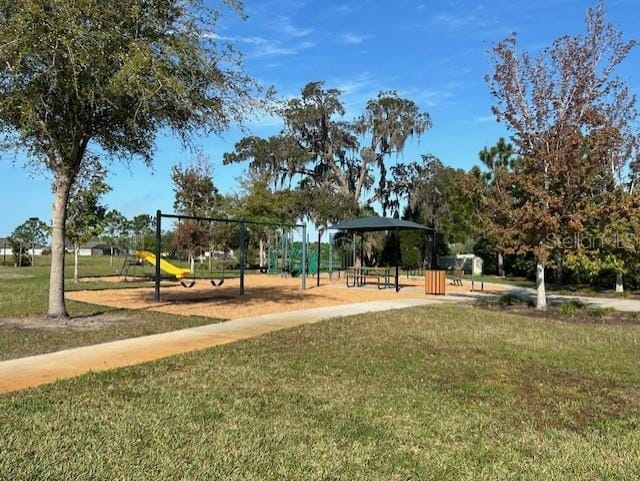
(264,294)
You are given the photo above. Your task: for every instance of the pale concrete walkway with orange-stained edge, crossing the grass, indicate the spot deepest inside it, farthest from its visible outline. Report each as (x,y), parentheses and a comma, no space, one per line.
(22,373)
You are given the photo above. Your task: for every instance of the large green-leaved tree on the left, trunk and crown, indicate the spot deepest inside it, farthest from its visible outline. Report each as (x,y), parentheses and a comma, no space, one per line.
(111,74)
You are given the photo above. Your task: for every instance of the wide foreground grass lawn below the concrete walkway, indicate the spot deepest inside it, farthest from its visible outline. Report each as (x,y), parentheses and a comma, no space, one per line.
(435,393)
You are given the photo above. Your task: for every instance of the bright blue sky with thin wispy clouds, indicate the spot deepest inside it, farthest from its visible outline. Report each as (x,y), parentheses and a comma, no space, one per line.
(433,52)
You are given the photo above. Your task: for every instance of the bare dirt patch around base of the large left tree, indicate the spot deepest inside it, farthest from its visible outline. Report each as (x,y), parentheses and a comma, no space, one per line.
(78,323)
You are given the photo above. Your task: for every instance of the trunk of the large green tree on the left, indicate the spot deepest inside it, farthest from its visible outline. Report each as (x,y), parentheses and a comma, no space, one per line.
(57,308)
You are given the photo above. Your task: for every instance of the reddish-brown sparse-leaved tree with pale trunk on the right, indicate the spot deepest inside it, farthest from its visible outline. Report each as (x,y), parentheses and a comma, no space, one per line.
(571,120)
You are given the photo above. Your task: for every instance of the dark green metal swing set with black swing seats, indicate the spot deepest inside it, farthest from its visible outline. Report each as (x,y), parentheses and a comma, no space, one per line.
(242,242)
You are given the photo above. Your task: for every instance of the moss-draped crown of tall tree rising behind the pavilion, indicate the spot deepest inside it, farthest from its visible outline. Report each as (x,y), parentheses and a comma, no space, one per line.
(323,151)
